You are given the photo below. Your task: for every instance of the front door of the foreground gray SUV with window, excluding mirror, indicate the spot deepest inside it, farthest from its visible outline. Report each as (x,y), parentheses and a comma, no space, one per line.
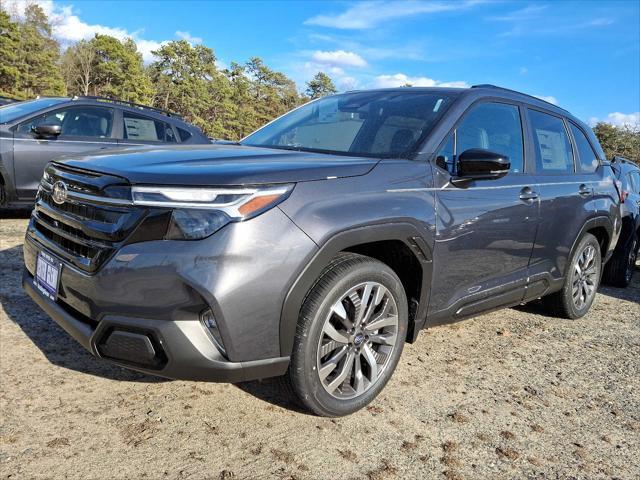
(485,231)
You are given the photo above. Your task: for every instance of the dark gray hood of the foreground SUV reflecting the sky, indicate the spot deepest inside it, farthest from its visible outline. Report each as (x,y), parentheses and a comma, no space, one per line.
(219,165)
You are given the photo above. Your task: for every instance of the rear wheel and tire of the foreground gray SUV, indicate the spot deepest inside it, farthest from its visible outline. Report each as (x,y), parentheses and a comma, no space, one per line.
(581,282)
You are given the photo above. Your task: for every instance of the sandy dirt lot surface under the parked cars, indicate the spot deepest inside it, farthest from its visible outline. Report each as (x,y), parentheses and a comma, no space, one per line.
(509,395)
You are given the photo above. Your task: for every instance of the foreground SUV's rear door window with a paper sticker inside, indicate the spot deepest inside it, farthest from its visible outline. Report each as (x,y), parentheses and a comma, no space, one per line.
(552,146)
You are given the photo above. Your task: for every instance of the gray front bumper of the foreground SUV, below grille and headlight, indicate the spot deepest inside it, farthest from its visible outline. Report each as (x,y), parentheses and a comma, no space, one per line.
(141,309)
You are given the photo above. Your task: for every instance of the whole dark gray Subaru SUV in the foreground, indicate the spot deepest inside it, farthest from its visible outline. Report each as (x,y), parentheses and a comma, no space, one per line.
(320,244)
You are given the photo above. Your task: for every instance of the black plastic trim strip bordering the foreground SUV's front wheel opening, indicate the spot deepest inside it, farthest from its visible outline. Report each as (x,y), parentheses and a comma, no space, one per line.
(403,231)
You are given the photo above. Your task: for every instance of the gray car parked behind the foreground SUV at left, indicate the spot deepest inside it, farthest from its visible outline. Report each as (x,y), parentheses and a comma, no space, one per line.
(34,132)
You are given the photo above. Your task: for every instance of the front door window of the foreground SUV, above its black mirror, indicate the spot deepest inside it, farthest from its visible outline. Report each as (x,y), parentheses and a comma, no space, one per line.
(495,127)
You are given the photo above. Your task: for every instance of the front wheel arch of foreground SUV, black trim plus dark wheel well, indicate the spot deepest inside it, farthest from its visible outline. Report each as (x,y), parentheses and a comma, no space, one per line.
(373,241)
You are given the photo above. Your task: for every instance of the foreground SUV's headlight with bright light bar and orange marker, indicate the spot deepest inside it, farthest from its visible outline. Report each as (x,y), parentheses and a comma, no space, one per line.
(199,212)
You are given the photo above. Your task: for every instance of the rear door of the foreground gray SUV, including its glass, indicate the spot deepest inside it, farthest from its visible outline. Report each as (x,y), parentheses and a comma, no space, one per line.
(569,174)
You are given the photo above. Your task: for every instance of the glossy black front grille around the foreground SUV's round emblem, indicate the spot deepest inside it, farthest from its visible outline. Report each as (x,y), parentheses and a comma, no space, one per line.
(85,231)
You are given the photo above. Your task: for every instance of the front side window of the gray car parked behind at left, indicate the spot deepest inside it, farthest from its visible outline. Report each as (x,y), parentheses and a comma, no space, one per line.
(95,122)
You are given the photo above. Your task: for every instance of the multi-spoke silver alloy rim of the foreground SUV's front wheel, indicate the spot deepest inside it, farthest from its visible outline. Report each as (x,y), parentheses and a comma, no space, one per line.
(357,341)
